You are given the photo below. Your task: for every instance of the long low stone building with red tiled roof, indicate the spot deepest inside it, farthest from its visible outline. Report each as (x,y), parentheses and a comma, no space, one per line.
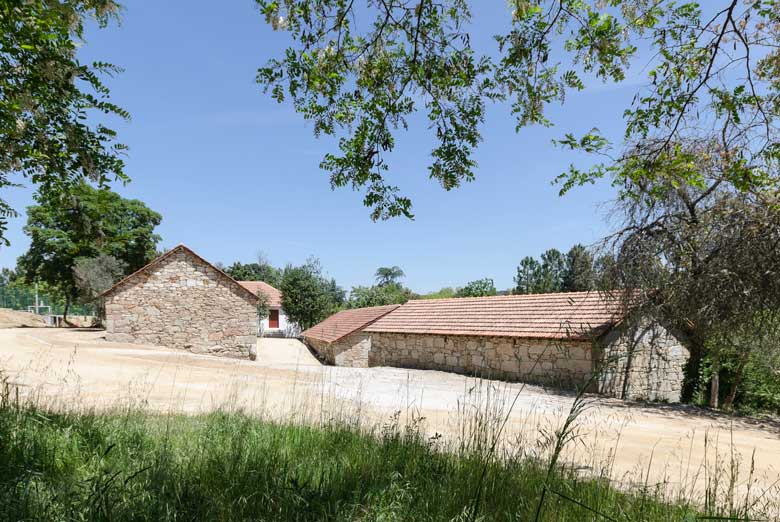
(565,339)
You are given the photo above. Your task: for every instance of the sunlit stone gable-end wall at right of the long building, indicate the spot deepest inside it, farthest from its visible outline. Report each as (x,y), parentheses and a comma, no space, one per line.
(642,362)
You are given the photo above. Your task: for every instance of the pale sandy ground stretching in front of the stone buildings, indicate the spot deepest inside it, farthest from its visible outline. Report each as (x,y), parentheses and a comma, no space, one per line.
(634,444)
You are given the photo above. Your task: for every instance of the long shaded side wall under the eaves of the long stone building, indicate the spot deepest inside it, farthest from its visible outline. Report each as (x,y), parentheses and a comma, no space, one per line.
(560,363)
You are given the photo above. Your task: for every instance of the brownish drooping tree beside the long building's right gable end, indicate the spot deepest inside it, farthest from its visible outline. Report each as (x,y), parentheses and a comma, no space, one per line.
(705,256)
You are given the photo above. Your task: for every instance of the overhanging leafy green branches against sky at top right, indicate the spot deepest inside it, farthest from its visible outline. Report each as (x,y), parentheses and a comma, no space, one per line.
(713,68)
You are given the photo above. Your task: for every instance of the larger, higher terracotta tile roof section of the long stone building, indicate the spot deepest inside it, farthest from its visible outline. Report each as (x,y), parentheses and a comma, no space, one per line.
(570,315)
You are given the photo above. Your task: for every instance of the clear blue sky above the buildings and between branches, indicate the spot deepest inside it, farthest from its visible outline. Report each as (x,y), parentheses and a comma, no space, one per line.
(233,173)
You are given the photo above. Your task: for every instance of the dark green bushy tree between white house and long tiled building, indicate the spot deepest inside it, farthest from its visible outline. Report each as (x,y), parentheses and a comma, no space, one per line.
(307,296)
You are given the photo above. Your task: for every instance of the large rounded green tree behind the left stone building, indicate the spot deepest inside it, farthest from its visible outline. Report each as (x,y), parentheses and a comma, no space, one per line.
(87,223)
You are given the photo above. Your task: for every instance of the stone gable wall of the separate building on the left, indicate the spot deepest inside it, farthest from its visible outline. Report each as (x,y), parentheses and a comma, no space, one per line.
(184,303)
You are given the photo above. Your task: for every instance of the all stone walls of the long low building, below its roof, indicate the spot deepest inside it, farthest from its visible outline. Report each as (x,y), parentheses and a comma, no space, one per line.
(637,363)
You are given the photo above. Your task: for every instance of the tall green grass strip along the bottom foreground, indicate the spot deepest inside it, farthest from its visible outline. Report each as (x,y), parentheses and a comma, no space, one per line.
(226,467)
